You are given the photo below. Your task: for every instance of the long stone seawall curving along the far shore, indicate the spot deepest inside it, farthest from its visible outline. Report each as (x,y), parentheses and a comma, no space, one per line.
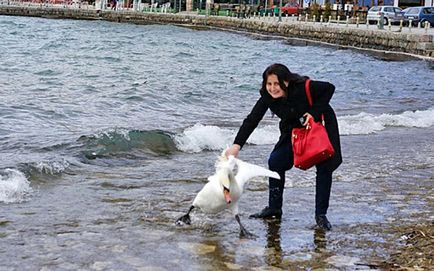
(419,44)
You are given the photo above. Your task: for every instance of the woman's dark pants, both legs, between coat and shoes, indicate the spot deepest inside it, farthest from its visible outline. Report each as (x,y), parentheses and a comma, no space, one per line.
(281,160)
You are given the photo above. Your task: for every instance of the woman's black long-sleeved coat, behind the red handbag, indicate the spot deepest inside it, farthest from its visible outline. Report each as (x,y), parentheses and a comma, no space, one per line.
(290,109)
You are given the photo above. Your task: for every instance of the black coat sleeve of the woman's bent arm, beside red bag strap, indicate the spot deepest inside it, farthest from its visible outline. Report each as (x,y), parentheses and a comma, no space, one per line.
(321,93)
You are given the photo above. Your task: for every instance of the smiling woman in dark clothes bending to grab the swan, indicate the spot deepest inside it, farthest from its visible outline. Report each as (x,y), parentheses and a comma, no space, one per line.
(284,94)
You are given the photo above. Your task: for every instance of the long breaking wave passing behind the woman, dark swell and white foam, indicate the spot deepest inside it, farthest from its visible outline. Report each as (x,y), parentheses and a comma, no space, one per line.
(139,144)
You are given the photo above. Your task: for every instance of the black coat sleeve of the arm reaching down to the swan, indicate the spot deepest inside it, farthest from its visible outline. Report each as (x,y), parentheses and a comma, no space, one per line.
(251,122)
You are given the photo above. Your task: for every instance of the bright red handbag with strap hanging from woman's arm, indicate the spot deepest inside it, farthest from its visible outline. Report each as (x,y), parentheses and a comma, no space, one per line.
(311,144)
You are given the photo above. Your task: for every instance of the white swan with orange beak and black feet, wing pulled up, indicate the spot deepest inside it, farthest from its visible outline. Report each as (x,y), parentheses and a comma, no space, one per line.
(224,188)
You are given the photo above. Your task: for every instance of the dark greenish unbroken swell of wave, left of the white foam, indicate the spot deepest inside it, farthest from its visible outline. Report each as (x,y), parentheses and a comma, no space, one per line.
(123,142)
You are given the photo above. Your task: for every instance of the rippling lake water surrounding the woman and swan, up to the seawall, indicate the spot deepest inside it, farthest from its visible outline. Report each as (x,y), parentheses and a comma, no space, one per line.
(108,131)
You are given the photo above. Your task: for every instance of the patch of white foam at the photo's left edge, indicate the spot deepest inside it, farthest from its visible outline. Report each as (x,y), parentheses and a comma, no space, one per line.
(14,187)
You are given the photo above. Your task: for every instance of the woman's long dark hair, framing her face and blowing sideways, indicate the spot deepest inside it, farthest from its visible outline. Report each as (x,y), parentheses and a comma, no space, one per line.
(283,75)
